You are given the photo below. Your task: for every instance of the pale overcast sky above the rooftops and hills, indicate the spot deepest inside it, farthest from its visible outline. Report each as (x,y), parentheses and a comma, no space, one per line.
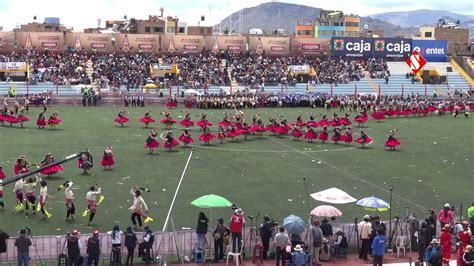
(84,13)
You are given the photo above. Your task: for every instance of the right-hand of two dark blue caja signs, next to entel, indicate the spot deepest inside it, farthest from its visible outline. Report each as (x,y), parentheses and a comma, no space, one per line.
(394,48)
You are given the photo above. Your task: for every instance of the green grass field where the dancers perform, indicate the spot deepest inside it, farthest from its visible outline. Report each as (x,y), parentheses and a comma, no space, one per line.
(433,166)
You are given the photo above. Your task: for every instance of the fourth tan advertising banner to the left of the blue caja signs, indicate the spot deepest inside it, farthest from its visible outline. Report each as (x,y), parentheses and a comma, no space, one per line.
(181,44)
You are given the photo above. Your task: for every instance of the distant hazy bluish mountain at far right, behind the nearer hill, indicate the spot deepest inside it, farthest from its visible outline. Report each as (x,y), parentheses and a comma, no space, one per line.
(420,17)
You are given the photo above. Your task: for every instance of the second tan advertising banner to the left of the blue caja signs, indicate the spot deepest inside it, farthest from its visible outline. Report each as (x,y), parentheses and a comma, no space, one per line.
(269,45)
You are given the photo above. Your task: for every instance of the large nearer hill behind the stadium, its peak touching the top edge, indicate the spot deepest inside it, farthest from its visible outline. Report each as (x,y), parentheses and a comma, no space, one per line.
(276,15)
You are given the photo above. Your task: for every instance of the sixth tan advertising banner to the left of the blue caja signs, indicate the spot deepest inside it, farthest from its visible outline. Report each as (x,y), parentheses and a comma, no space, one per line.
(98,42)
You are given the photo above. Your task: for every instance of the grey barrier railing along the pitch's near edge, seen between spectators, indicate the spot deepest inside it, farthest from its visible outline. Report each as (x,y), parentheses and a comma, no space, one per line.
(48,248)
